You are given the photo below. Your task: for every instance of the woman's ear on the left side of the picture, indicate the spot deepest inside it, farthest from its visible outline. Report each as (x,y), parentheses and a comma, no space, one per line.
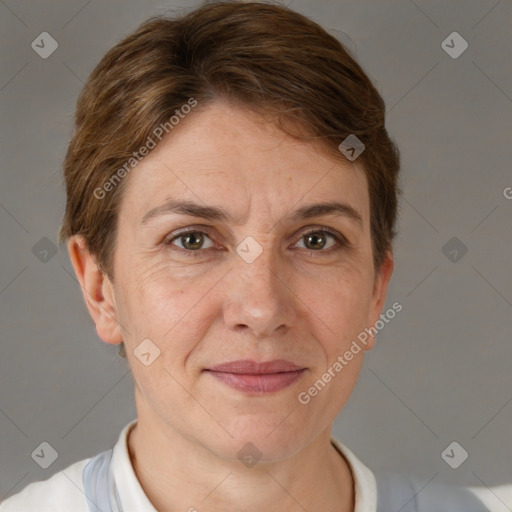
(97,289)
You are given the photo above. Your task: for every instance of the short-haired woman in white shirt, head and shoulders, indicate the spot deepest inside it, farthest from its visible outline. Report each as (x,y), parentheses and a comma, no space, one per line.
(231,204)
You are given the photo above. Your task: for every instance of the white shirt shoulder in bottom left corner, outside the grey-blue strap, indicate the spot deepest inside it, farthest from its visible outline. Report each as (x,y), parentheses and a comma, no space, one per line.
(63,491)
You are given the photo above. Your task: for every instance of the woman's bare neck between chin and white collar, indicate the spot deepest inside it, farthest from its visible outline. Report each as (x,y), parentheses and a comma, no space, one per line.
(178,474)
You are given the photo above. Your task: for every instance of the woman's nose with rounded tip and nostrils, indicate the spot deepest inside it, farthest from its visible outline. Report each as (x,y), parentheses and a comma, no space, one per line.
(259,298)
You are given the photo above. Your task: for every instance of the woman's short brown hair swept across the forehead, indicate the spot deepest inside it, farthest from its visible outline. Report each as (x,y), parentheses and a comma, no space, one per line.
(263,57)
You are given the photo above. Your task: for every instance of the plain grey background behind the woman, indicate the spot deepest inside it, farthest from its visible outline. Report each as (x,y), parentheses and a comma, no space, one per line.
(441,369)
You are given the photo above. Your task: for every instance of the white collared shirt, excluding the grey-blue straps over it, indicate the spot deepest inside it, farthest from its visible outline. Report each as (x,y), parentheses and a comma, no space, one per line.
(64,491)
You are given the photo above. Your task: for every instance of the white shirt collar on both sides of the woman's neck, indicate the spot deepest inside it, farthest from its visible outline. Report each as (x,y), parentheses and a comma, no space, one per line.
(132,496)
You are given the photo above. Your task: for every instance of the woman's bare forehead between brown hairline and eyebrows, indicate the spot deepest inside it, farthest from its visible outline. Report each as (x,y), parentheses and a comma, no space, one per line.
(230,157)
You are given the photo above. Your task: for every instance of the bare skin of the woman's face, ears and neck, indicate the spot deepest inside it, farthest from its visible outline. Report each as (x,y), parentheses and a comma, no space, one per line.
(299,300)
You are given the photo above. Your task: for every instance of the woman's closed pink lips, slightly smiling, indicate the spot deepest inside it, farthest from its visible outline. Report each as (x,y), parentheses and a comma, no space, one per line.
(266,377)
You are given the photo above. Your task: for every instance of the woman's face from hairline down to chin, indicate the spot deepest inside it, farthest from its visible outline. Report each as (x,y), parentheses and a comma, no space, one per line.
(247,284)
